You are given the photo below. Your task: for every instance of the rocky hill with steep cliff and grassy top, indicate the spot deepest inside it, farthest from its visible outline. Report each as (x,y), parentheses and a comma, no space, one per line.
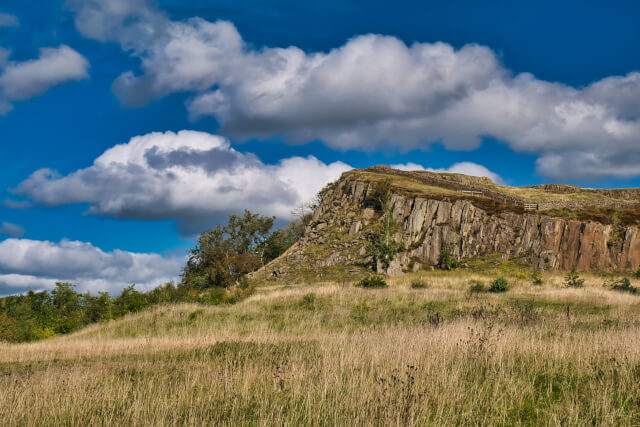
(550,227)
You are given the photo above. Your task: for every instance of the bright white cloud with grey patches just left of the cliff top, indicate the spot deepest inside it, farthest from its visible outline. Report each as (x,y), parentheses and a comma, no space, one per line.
(193,177)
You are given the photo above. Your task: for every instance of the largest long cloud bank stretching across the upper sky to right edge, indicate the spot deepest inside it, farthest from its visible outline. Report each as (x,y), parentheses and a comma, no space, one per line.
(373,91)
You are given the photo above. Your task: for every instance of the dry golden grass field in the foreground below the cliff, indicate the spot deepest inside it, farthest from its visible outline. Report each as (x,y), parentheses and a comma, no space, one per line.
(333,354)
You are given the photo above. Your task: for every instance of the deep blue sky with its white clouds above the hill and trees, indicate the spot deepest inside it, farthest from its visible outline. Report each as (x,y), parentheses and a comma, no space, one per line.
(524,92)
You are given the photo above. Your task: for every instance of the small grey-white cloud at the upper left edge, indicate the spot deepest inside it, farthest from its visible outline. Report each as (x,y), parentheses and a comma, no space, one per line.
(23,80)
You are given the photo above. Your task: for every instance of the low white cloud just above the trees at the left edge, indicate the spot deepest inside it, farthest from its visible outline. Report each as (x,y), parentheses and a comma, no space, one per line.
(35,264)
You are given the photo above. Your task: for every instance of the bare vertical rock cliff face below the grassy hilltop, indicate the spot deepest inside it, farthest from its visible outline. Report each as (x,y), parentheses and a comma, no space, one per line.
(337,235)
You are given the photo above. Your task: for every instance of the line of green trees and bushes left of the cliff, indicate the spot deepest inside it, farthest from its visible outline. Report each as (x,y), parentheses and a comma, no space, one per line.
(215,273)
